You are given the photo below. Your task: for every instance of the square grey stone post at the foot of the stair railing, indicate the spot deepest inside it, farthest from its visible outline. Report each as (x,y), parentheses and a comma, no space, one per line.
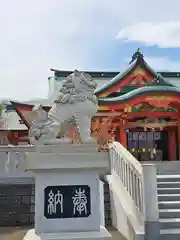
(151,210)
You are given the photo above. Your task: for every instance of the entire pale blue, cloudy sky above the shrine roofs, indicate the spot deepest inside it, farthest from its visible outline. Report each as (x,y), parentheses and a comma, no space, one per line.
(38,35)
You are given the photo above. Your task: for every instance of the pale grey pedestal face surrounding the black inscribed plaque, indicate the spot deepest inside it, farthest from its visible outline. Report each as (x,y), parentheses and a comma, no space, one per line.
(44,179)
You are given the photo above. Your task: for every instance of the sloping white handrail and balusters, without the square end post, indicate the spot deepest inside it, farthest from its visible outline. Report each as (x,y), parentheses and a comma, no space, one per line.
(130,173)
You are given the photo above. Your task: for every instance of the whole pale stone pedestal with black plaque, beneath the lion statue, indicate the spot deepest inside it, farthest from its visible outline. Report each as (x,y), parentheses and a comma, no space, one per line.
(69,199)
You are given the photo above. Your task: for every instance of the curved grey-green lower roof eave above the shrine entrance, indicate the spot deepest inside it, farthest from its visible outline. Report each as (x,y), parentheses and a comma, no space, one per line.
(138,92)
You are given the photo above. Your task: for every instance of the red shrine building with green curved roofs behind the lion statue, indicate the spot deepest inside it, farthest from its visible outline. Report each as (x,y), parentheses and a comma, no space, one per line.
(144,106)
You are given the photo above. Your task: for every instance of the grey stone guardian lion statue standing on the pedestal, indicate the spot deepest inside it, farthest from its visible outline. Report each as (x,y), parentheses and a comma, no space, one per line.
(75,103)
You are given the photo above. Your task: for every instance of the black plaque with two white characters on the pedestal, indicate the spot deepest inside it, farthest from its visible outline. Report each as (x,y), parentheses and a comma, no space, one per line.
(67,201)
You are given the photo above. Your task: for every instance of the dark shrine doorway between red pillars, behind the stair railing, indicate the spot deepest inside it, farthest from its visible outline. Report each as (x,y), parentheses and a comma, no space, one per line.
(148,145)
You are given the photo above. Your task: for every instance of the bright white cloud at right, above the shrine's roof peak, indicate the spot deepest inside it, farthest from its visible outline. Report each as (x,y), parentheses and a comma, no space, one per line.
(162,34)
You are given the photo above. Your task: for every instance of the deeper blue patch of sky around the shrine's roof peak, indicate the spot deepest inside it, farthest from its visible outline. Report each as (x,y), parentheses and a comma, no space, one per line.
(118,55)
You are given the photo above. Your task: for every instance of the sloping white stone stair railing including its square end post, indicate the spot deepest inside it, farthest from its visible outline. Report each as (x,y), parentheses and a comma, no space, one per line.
(138,180)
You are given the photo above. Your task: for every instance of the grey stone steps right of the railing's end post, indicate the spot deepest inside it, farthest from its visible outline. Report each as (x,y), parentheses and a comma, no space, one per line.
(169,206)
